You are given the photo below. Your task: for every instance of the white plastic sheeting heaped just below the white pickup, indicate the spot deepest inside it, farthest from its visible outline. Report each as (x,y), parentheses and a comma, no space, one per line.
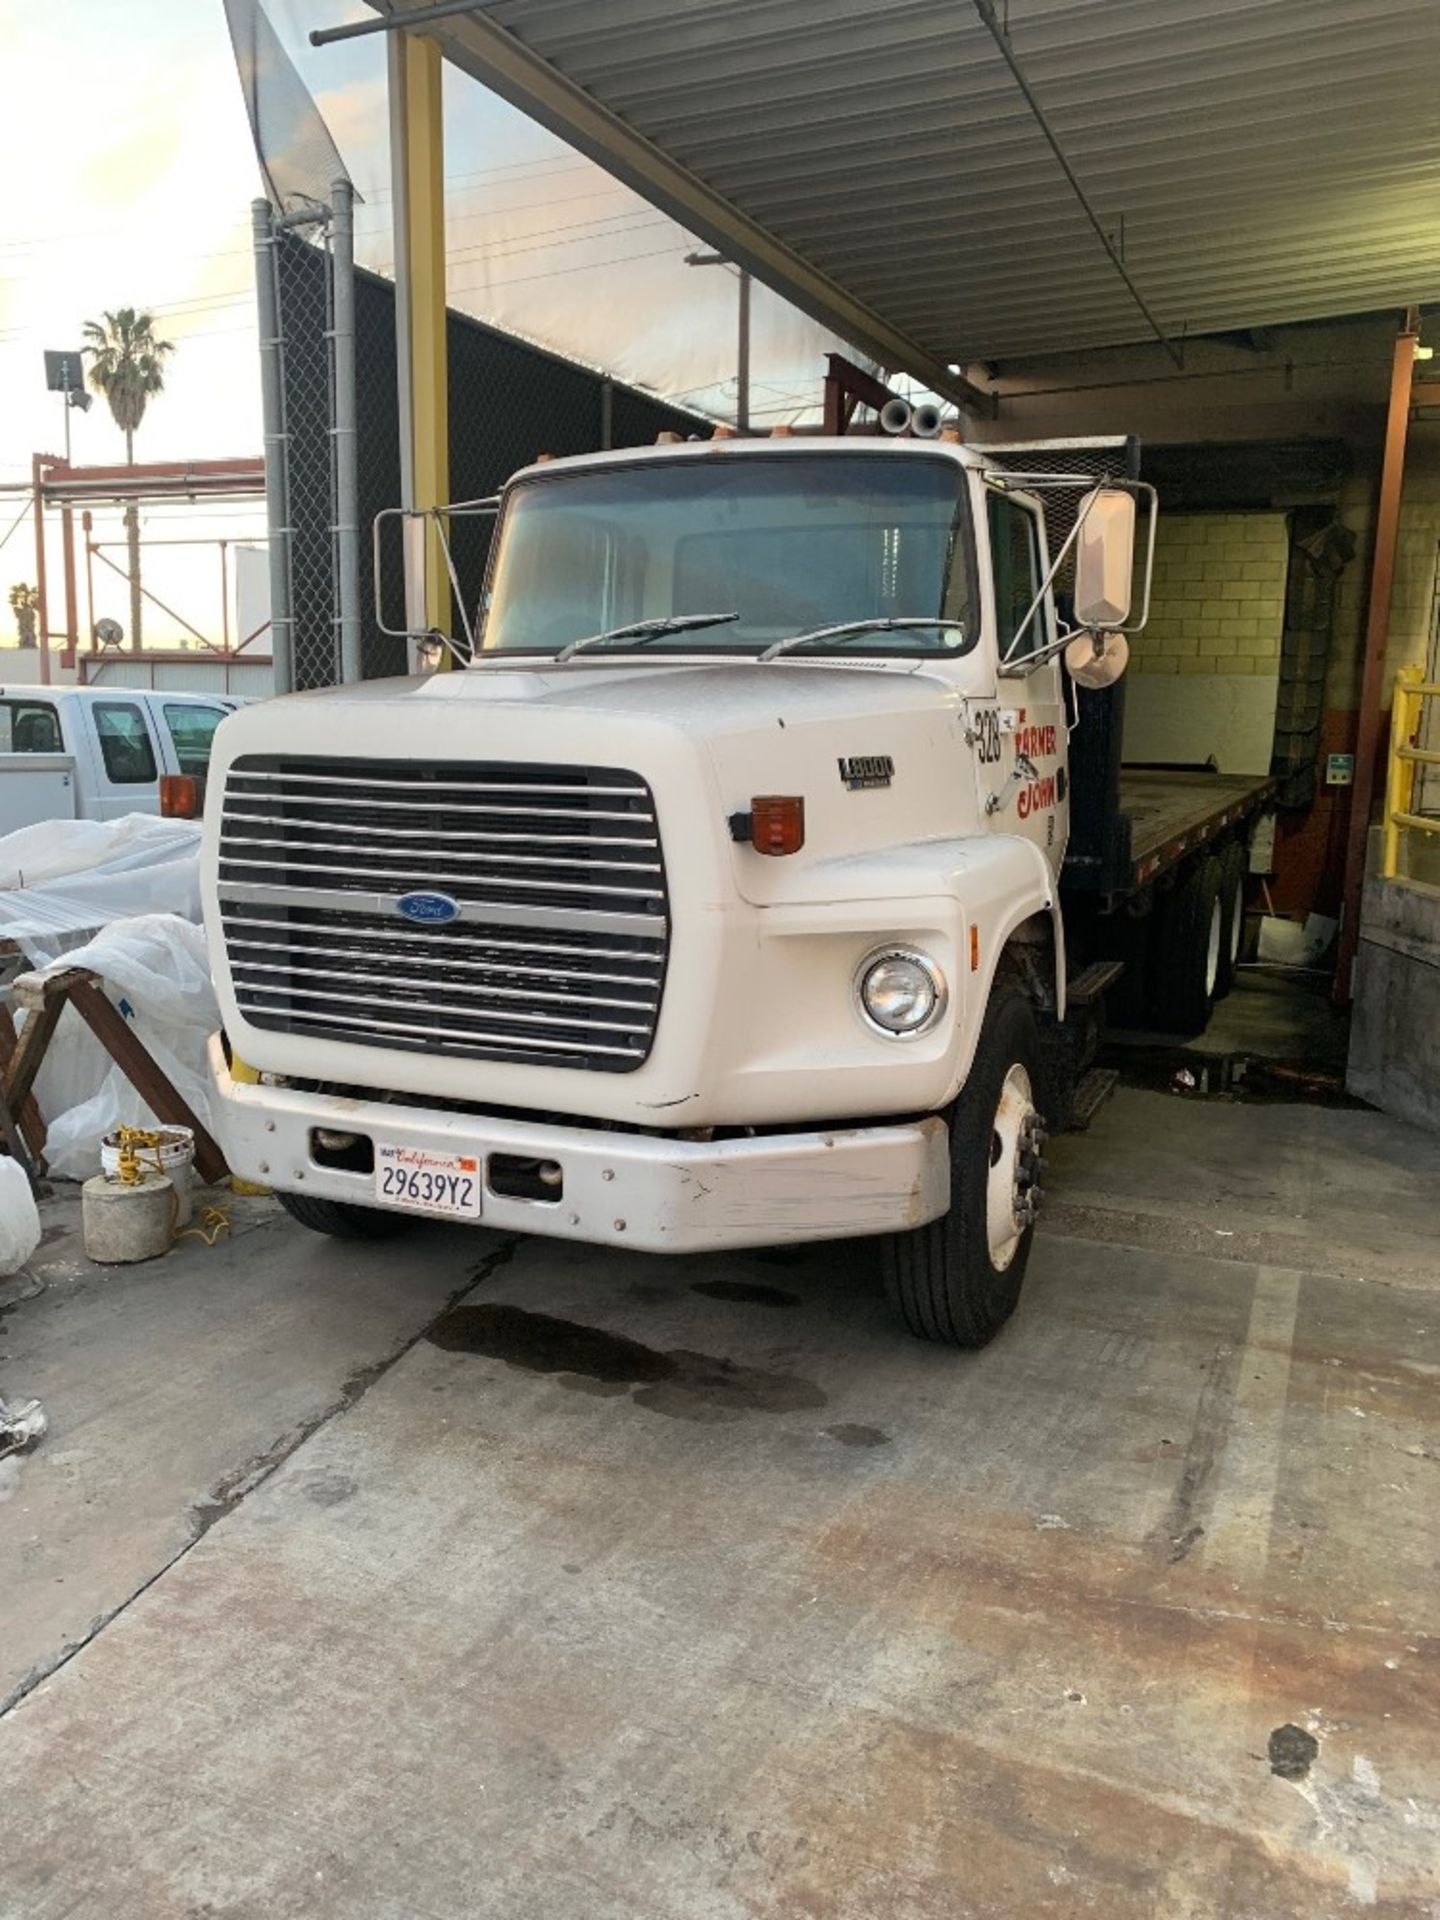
(66,878)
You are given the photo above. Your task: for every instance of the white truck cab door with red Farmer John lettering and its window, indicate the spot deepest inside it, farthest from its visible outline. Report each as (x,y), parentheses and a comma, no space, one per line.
(1022,742)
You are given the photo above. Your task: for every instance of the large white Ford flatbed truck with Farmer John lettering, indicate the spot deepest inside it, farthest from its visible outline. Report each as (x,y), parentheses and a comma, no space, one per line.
(719,900)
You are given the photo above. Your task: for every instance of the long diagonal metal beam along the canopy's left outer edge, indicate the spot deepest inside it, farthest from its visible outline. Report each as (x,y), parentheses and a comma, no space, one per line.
(506,66)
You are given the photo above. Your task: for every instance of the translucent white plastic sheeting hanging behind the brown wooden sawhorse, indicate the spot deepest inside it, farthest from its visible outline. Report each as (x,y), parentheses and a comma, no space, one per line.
(156,971)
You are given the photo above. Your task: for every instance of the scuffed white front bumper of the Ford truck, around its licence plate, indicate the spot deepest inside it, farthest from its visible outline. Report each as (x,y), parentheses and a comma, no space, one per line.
(650,1191)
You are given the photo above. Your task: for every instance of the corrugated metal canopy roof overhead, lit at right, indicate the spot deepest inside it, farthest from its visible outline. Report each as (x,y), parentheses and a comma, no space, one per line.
(1257,160)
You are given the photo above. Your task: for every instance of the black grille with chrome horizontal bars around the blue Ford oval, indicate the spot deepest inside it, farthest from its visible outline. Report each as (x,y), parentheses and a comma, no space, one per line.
(560,948)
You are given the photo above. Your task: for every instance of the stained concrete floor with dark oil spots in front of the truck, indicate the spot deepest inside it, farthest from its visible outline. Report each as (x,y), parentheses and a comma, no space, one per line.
(694,1591)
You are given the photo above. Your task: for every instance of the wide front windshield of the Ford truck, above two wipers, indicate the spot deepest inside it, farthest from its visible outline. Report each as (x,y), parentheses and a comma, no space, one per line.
(779,544)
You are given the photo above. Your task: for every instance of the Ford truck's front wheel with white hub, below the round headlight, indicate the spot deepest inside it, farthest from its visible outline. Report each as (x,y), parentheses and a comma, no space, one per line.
(959,1278)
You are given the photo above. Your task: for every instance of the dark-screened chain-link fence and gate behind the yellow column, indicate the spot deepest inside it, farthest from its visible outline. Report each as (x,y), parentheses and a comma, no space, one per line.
(508,404)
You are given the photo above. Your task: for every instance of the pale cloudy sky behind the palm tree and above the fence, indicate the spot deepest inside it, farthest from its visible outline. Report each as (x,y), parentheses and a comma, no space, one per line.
(132,181)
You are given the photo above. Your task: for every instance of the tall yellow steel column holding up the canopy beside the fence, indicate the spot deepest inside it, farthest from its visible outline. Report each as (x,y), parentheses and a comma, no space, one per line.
(420,210)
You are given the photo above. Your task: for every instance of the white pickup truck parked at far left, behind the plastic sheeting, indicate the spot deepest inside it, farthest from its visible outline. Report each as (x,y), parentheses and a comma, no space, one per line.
(97,754)
